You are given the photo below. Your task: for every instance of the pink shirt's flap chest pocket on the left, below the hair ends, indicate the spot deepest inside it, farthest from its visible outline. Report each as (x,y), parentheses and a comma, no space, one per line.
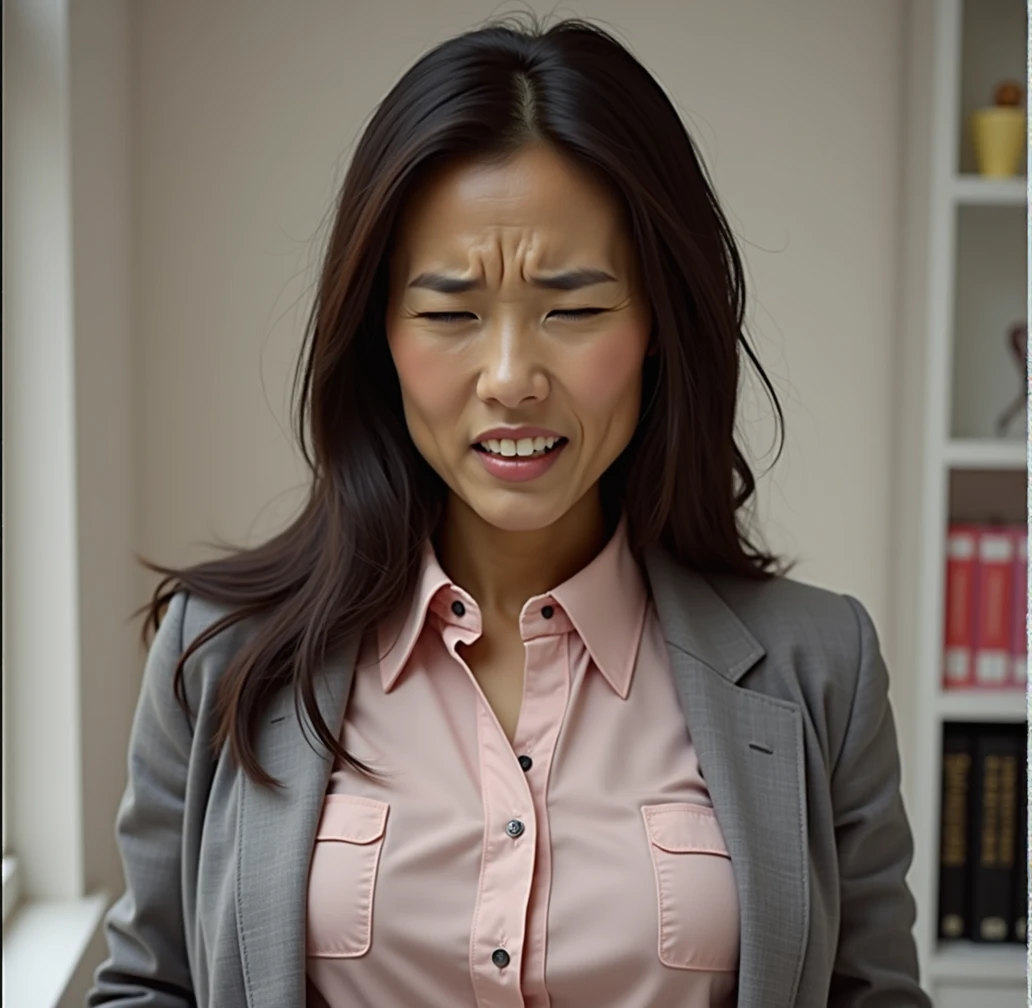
(343,876)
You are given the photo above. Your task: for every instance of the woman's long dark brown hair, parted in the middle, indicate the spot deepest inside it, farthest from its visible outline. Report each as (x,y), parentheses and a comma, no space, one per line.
(353,552)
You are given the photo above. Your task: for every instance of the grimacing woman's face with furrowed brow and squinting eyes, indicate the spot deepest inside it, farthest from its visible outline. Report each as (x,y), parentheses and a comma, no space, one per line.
(519,330)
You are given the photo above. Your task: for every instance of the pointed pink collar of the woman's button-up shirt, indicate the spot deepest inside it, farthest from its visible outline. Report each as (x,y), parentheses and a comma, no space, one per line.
(606,603)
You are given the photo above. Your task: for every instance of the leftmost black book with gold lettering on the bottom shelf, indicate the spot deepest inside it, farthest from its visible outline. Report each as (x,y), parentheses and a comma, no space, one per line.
(958,743)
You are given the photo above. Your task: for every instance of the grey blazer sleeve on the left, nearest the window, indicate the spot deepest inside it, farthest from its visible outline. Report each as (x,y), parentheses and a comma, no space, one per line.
(147,963)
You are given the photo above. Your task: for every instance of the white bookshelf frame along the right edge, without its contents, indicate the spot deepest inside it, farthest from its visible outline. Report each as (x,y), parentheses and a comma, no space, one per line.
(964,282)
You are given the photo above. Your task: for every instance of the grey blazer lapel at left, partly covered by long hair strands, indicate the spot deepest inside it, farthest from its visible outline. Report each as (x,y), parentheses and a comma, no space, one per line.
(276,833)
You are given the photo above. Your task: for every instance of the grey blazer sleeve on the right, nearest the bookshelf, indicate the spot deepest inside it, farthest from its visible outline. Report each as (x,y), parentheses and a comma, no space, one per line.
(877,961)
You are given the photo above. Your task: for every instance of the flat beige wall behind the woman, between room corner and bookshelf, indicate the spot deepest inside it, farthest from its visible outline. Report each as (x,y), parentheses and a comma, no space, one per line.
(245,117)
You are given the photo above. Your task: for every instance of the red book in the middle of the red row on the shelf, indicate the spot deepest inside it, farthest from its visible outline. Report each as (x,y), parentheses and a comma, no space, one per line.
(994,608)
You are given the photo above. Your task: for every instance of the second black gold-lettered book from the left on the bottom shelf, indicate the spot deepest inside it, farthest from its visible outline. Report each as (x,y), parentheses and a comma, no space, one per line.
(997,758)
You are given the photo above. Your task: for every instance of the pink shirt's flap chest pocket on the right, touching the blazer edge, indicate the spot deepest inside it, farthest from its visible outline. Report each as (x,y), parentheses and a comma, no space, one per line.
(698,898)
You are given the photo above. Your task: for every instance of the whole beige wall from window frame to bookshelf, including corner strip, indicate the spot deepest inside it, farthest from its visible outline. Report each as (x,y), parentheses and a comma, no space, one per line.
(240,121)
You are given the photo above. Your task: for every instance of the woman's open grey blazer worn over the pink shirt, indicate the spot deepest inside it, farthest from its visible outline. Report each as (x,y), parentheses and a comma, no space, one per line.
(784,690)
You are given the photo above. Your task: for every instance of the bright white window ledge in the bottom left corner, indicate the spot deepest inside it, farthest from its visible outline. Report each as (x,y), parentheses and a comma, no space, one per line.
(44,944)
